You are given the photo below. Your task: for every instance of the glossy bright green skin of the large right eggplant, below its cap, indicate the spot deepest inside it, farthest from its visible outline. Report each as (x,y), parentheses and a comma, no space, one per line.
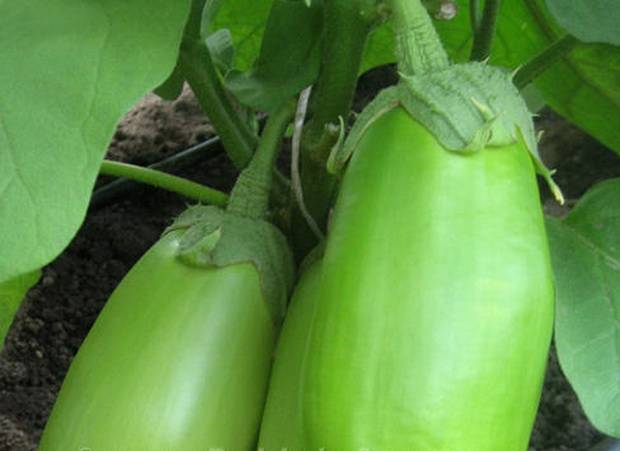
(435,310)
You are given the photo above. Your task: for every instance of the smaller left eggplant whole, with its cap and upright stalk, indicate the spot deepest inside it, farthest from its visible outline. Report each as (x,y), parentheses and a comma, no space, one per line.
(179,358)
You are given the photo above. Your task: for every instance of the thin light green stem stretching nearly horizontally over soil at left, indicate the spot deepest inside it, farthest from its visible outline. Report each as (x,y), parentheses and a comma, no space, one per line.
(165,181)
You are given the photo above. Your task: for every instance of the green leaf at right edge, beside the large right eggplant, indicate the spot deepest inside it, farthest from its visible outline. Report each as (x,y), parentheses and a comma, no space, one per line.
(585,250)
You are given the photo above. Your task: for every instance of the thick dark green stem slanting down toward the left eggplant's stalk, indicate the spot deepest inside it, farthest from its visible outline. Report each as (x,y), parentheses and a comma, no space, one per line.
(204,80)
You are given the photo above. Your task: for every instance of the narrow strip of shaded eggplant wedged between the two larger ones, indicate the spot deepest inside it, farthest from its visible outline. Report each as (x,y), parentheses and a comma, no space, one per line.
(282,425)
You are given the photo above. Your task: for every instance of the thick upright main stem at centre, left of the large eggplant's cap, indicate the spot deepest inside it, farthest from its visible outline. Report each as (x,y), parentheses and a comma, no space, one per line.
(348,24)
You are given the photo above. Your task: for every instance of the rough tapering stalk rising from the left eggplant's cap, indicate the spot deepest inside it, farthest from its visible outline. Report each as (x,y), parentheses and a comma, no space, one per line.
(250,195)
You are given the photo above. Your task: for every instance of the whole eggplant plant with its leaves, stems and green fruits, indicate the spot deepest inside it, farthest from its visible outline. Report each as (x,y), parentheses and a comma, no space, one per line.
(429,282)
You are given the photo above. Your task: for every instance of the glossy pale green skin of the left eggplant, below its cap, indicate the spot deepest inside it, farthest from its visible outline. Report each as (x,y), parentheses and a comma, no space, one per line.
(178,360)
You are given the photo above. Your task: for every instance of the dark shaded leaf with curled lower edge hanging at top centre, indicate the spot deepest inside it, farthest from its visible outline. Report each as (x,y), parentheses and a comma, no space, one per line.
(289,59)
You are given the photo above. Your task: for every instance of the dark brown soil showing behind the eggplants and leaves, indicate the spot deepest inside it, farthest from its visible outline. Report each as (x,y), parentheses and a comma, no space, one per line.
(58,312)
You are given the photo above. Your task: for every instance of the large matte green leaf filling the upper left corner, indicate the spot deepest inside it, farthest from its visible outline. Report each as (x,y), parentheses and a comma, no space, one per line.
(70,70)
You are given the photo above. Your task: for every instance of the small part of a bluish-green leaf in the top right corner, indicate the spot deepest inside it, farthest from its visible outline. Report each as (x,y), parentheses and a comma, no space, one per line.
(589,20)
